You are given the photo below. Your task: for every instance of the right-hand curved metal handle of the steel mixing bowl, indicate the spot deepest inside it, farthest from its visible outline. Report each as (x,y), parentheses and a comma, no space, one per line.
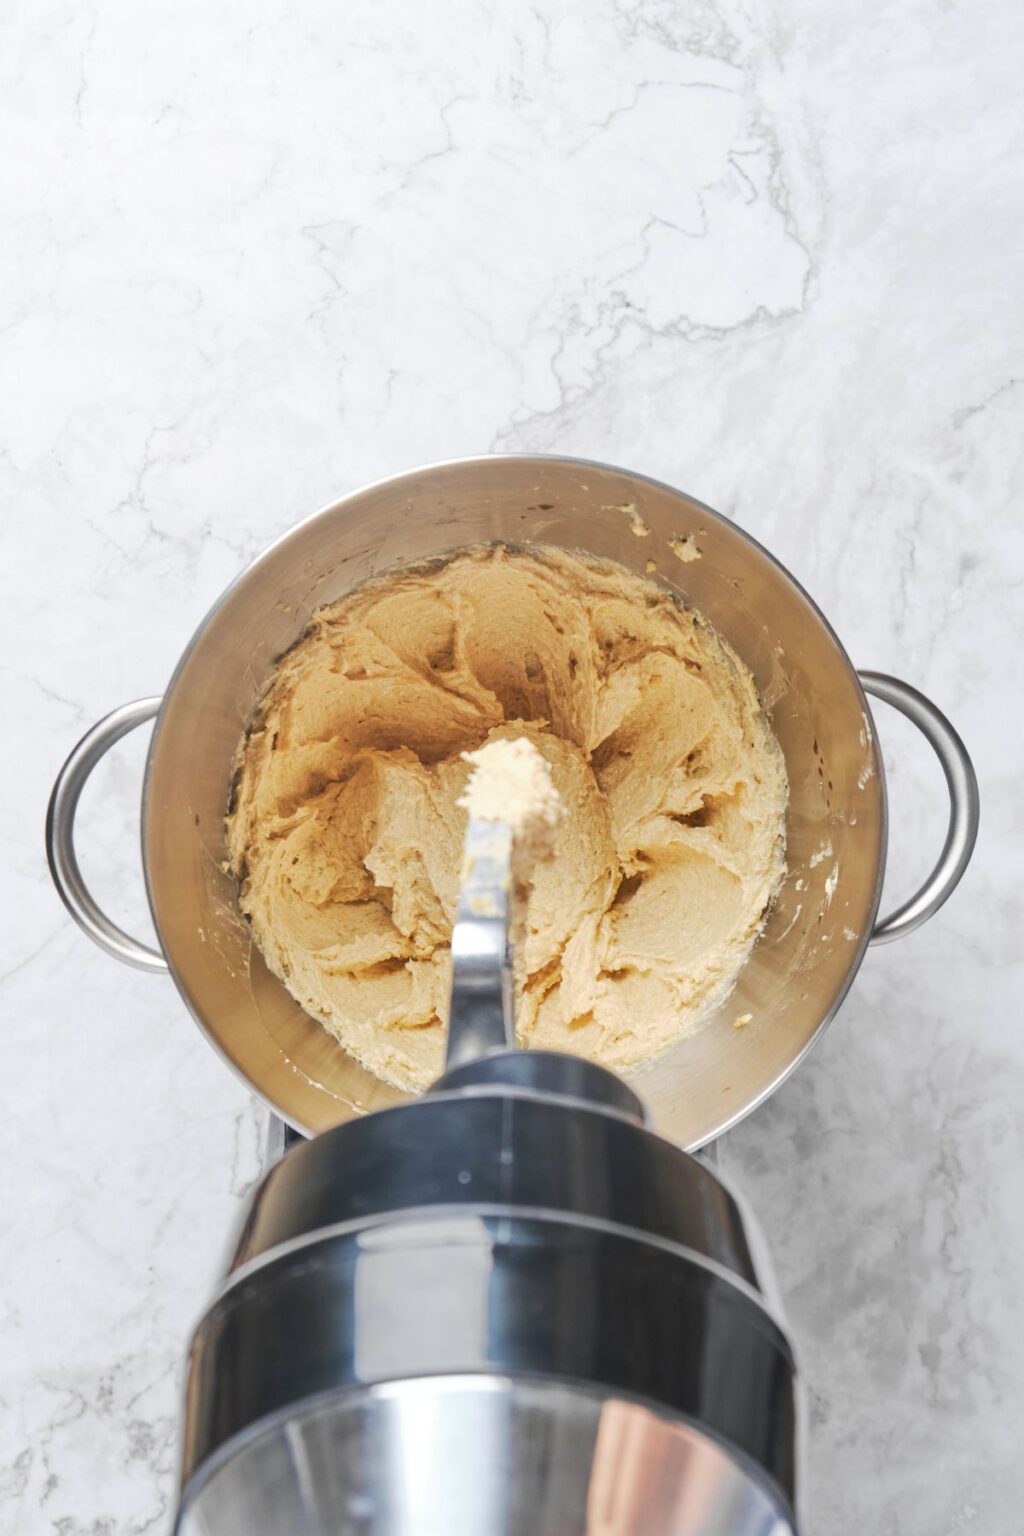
(963,804)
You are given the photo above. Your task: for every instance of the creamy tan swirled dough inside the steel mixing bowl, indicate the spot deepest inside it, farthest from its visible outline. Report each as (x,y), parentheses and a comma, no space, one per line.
(346,832)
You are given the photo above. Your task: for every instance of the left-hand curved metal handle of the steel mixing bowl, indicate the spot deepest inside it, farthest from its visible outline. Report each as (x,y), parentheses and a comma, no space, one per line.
(61,836)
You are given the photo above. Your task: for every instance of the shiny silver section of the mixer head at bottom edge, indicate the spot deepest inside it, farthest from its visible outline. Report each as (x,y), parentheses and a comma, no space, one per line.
(481,1457)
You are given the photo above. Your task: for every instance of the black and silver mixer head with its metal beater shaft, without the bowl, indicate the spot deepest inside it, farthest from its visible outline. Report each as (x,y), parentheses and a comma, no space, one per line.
(504,1308)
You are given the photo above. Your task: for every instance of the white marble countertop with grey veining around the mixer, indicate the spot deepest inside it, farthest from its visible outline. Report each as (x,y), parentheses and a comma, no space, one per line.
(254,257)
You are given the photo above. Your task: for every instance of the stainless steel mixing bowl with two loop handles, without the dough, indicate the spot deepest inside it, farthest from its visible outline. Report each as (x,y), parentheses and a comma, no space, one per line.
(821,927)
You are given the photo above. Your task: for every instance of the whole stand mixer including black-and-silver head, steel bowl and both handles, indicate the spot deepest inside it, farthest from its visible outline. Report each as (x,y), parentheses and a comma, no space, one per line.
(507,1306)
